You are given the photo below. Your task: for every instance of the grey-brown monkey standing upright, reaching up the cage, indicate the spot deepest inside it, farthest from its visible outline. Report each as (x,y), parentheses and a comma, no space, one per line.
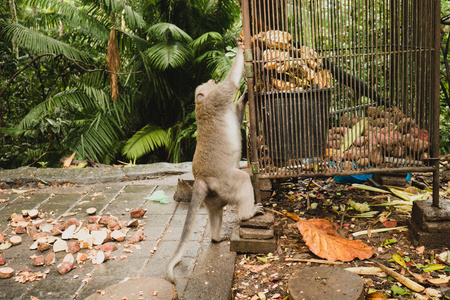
(218,181)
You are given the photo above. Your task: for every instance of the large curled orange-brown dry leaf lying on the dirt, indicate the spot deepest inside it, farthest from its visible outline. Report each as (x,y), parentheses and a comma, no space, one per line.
(321,238)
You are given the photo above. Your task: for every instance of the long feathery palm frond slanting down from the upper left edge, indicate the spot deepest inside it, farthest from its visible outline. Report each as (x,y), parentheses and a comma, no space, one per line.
(39,43)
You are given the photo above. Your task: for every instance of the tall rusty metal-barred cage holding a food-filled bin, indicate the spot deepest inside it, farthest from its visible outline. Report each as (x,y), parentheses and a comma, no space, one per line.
(341,87)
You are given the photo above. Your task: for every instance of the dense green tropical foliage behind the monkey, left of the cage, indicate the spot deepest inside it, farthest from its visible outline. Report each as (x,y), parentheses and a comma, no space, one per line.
(110,79)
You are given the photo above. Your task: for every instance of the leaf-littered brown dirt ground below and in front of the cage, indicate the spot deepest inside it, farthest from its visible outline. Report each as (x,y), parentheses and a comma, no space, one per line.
(266,276)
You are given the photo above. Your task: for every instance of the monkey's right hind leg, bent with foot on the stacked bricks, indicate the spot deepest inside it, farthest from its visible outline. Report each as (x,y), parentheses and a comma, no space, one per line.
(244,196)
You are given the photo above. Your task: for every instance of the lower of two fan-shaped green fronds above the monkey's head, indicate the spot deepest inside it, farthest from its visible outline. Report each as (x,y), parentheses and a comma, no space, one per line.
(169,55)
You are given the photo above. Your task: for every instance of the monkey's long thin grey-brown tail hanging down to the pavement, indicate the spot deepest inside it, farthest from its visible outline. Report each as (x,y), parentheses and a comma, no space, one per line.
(199,193)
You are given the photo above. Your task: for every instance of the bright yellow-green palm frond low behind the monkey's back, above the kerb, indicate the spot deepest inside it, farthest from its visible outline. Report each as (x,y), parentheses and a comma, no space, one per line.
(144,141)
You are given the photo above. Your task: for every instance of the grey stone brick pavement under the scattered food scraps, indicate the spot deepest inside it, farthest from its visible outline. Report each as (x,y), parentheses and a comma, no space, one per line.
(205,272)
